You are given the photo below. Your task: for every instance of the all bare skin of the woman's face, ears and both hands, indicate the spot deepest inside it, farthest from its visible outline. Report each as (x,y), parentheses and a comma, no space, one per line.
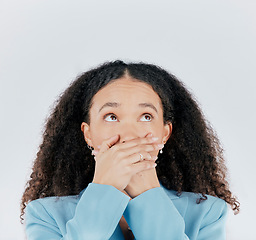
(122,127)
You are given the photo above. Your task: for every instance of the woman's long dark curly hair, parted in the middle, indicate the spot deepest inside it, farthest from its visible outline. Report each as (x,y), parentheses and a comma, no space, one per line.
(192,160)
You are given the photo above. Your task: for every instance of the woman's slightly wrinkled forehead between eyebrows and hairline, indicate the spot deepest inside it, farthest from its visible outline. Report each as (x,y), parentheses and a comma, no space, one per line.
(127,91)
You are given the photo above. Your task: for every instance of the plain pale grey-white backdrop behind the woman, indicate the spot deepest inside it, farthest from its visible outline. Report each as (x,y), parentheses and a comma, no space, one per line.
(209,45)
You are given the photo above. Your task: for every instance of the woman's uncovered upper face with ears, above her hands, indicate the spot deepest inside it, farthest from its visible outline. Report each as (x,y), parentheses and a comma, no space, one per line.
(126,107)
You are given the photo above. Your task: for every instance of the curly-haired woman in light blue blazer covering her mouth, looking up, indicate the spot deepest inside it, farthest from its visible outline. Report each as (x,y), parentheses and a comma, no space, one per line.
(95,175)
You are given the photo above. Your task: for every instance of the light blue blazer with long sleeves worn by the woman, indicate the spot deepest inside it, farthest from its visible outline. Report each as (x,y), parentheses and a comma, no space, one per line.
(157,214)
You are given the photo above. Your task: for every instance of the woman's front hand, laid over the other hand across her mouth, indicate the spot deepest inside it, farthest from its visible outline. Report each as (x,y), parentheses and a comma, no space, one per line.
(116,163)
